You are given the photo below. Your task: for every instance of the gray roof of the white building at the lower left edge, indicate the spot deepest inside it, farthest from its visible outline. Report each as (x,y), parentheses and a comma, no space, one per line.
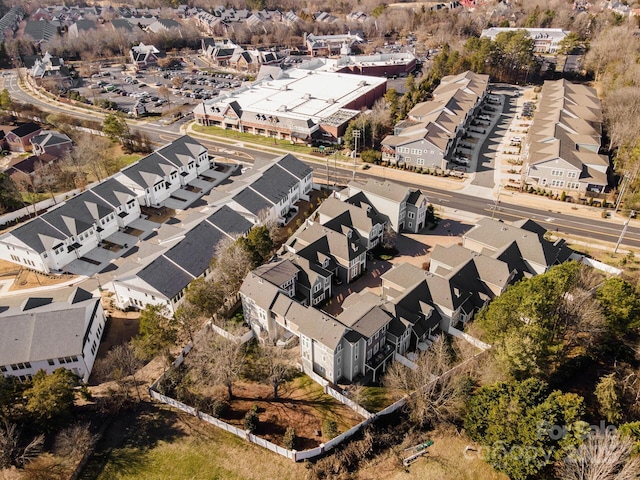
(54,329)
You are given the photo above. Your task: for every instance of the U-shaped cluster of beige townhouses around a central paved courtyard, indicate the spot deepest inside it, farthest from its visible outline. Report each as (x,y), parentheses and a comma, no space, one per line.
(285,297)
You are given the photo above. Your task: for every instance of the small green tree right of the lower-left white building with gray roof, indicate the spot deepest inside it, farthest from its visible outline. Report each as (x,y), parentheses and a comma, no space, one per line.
(157,333)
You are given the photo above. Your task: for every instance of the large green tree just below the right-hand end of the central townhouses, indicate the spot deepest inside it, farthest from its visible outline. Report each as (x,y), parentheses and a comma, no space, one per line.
(537,320)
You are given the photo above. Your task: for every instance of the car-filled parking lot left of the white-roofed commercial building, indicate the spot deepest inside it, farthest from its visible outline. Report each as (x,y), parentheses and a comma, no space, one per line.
(154,91)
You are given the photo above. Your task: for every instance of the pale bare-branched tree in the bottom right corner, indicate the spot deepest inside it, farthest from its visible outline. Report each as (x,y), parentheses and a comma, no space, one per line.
(601,457)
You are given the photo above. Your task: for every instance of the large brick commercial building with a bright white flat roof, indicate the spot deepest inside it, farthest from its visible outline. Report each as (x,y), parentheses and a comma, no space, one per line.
(301,104)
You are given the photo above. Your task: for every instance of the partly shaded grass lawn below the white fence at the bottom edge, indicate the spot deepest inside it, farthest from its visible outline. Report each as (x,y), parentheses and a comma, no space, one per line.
(158,443)
